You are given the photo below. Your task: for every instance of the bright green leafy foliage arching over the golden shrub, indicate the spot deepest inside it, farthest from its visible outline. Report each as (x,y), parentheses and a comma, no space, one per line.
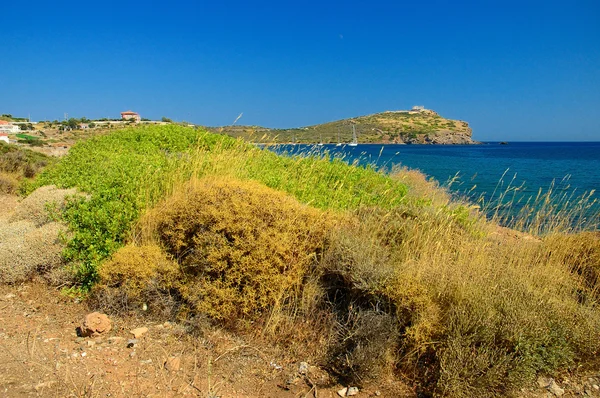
(130,170)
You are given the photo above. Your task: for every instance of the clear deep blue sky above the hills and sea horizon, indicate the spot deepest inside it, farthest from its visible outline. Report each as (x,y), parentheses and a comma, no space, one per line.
(516,70)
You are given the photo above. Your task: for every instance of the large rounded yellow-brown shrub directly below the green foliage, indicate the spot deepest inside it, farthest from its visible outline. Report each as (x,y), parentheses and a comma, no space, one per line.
(244,248)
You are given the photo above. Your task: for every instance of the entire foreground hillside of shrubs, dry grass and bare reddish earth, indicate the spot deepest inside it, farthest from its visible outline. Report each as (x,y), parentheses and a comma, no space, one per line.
(301,273)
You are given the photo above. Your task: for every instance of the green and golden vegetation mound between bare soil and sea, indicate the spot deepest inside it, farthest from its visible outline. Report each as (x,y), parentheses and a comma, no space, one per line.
(371,276)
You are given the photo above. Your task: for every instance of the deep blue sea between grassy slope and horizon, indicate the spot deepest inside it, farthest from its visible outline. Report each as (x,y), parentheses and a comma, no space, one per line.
(500,173)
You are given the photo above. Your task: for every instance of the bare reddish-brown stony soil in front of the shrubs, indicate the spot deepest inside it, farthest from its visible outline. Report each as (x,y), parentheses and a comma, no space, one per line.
(42,355)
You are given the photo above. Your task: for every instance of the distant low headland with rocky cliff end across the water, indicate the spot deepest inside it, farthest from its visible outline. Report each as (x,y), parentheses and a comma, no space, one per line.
(416,126)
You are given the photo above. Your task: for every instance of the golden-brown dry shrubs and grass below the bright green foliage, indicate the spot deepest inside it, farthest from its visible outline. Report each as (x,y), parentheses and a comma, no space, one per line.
(423,290)
